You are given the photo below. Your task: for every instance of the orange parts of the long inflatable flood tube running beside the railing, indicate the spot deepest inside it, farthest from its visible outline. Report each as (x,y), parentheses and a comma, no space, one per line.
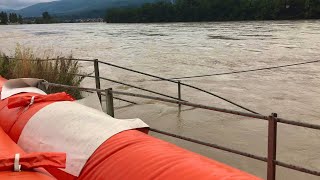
(130,154)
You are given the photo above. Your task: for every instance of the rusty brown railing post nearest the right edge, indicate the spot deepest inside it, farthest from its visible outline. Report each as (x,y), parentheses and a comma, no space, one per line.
(272,147)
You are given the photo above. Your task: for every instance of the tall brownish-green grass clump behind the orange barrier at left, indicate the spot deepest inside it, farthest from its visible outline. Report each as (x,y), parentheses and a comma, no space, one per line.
(25,64)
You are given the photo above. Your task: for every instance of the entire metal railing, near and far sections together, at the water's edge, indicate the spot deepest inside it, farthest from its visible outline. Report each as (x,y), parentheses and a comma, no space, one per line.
(272,119)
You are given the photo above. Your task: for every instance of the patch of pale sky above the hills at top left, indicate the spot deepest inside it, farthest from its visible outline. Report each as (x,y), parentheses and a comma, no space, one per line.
(18,4)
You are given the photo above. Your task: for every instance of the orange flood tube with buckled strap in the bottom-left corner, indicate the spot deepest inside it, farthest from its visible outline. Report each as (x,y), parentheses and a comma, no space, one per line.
(9,151)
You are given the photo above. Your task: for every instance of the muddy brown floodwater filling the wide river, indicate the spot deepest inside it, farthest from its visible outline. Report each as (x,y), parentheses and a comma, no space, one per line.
(187,49)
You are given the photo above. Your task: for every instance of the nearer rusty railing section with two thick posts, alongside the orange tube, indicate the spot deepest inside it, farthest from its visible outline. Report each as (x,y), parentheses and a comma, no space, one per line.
(273,121)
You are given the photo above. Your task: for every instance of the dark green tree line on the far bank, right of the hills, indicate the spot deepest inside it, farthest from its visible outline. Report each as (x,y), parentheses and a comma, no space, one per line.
(216,10)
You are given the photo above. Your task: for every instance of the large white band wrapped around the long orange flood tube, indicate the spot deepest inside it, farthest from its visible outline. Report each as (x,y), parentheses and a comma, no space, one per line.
(74,129)
